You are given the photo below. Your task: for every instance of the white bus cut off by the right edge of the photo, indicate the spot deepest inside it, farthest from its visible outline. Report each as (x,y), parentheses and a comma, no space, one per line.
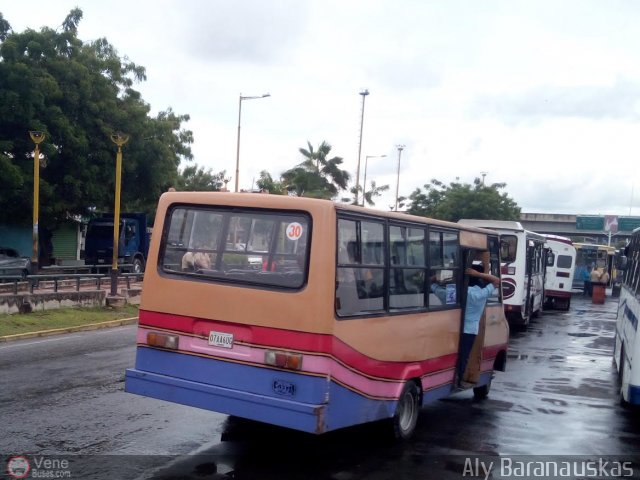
(627,346)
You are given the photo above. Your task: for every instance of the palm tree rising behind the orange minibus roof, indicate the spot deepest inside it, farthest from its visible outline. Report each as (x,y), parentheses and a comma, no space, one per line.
(317,176)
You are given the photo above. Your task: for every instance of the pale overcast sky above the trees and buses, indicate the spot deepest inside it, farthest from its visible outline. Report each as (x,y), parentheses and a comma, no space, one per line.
(542,95)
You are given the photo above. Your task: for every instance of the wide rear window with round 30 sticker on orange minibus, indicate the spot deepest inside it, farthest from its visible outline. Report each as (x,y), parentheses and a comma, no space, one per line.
(251,247)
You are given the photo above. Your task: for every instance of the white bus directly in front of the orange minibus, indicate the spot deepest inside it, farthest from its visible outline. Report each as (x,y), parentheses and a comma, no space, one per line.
(523,268)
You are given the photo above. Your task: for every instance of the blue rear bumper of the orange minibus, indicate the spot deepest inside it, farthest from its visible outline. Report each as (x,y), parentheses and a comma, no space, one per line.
(277,411)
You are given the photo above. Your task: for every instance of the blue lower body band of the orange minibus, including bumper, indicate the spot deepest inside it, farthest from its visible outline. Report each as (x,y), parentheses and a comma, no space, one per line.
(248,392)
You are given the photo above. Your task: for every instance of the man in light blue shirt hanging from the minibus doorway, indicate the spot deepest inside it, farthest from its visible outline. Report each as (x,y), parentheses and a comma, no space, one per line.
(481,287)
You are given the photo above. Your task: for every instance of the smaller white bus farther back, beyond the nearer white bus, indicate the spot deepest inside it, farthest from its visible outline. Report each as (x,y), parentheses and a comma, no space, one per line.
(561,260)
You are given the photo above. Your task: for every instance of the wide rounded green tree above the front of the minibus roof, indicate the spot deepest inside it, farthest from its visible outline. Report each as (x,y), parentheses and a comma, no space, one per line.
(462,200)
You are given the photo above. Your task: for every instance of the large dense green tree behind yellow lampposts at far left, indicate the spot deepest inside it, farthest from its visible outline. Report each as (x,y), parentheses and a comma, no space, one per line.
(78,94)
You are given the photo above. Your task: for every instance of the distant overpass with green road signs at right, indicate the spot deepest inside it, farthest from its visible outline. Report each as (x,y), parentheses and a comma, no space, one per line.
(583,228)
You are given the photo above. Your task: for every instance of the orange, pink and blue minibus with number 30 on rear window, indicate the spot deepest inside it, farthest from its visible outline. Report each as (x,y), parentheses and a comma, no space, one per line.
(337,327)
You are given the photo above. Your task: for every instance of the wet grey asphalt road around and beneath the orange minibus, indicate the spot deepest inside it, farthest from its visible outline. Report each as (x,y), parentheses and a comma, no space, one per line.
(63,397)
